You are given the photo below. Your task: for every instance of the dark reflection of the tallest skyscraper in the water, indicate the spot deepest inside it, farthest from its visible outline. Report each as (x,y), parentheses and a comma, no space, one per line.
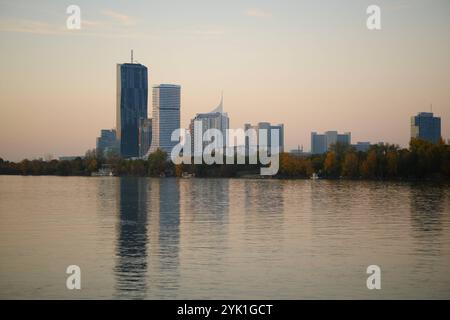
(131,251)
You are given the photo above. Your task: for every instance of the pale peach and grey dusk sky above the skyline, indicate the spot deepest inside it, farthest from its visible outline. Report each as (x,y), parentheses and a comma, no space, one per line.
(312,65)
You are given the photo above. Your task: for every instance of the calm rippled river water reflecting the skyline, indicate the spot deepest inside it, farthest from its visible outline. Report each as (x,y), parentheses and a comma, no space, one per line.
(220,238)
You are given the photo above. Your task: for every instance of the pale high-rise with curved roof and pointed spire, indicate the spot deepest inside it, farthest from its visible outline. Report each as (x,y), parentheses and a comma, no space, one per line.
(216,119)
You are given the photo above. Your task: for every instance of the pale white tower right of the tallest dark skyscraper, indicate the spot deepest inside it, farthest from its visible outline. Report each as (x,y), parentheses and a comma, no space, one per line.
(166,116)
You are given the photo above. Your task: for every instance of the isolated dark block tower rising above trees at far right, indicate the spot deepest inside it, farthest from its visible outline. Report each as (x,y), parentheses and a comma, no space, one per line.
(426,127)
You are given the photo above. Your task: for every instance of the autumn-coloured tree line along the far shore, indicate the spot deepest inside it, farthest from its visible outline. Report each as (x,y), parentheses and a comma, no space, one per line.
(422,160)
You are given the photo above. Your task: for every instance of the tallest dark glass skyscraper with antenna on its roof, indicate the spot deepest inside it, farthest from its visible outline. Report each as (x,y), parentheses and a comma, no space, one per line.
(132,96)
